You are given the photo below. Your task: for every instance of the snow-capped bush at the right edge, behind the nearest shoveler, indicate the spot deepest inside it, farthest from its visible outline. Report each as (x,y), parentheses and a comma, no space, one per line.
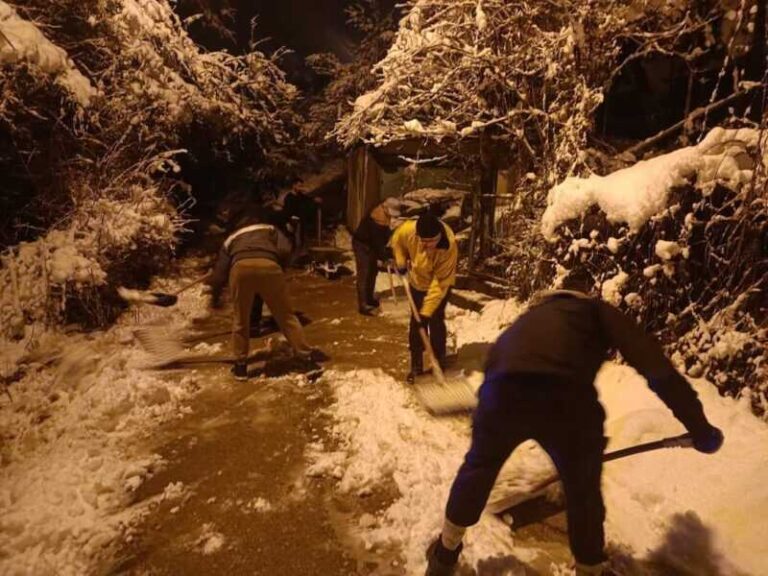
(680,242)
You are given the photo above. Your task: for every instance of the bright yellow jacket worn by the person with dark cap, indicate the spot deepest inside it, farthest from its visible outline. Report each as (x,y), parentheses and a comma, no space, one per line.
(433,274)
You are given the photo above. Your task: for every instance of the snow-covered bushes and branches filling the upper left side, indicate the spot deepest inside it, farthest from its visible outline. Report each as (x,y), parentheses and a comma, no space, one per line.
(99,104)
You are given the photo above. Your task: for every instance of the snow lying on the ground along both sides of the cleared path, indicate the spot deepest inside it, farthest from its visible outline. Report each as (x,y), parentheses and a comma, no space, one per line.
(73,458)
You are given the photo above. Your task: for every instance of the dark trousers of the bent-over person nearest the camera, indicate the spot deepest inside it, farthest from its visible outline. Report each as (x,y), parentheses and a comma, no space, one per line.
(568,426)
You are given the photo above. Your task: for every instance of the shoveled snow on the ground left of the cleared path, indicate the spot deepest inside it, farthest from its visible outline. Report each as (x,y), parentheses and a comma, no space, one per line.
(70,468)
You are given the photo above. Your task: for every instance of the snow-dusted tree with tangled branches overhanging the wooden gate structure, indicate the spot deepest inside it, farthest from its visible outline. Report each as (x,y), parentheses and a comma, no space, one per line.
(531,74)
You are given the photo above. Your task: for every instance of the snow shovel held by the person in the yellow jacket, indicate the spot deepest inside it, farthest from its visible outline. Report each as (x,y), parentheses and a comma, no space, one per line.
(441,398)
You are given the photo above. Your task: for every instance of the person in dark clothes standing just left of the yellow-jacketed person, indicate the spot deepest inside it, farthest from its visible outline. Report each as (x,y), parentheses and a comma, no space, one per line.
(369,243)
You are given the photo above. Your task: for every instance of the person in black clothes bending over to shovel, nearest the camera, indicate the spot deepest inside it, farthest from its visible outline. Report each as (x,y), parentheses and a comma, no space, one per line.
(539,384)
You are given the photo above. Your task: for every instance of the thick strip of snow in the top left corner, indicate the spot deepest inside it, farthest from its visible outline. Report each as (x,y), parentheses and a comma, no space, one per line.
(22,41)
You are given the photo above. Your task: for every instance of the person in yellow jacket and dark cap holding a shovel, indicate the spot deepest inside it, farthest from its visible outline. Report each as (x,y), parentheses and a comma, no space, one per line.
(430,247)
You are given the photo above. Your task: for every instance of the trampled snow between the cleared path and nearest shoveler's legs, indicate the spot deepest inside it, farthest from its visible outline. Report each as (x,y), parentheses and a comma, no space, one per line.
(383,436)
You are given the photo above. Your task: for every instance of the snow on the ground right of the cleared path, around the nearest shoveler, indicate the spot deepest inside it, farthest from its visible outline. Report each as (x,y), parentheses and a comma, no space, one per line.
(677,506)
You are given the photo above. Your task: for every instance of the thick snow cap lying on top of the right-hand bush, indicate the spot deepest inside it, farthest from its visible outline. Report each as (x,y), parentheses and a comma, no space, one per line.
(635,194)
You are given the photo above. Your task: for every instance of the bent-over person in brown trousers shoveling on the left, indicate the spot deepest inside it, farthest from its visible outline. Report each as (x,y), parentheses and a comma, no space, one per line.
(252,261)
